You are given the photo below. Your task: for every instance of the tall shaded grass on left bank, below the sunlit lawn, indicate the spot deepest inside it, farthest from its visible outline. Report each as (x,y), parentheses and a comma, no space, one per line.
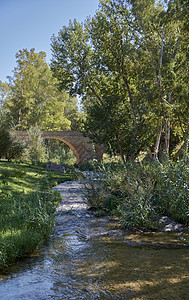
(25,221)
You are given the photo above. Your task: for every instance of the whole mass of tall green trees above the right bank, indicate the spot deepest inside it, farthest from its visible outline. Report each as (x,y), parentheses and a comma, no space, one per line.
(128,63)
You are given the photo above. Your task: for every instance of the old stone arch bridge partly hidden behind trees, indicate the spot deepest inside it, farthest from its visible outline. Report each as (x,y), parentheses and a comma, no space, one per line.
(81,146)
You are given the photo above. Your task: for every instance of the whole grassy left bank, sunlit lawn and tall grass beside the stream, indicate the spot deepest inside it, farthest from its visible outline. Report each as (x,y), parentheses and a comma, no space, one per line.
(27,206)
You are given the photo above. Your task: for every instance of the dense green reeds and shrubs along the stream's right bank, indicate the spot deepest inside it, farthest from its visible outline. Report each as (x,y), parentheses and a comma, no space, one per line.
(138,193)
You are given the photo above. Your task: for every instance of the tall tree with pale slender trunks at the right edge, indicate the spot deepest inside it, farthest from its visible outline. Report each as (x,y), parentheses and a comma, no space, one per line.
(164,41)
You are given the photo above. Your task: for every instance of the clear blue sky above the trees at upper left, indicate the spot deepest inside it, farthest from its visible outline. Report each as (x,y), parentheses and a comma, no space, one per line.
(31,24)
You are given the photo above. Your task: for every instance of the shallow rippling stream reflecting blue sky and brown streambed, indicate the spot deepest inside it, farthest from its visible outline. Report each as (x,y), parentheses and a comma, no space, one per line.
(90,257)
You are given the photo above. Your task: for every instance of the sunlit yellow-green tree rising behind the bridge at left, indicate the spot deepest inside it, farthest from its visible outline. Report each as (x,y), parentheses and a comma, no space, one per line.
(35,98)
